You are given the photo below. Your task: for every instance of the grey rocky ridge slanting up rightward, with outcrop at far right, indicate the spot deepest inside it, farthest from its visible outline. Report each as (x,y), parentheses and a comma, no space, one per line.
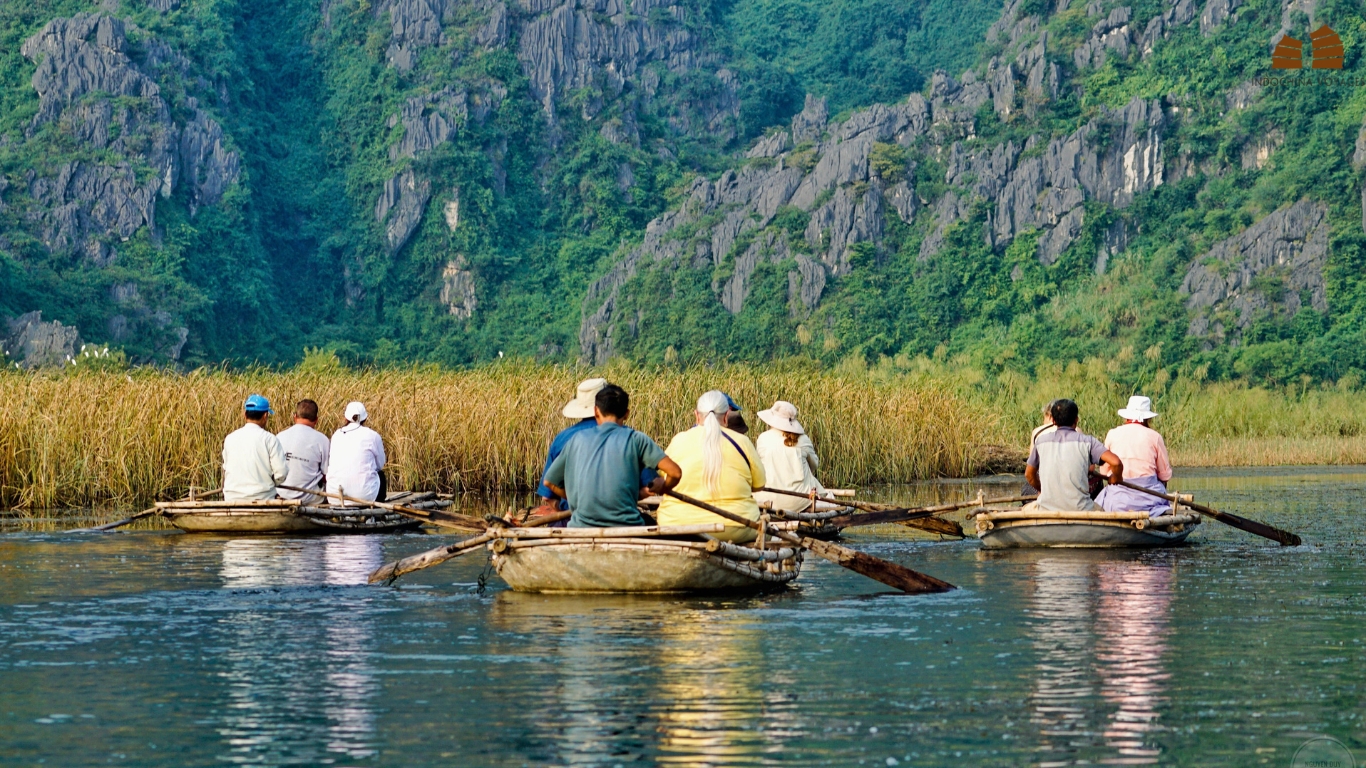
(1033,181)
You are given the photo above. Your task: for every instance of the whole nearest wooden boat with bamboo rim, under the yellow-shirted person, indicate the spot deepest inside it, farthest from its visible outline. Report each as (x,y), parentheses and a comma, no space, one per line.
(640,560)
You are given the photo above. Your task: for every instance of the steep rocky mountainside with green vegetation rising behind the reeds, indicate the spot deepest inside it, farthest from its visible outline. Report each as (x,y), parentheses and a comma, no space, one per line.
(436,180)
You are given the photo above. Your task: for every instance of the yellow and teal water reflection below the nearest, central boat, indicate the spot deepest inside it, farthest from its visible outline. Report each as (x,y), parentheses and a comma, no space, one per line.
(689,684)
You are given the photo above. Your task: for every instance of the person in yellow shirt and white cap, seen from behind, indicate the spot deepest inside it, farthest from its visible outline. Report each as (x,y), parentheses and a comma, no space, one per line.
(721,467)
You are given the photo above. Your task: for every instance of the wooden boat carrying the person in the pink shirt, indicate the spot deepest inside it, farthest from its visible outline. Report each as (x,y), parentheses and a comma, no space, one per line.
(1002,530)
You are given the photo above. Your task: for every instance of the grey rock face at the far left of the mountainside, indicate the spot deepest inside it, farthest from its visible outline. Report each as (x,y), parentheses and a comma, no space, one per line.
(99,95)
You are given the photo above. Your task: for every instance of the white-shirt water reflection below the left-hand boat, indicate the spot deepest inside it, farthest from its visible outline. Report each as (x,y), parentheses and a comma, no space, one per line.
(275,698)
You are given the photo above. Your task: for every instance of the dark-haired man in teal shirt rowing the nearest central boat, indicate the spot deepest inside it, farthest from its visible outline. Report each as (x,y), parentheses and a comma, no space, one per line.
(600,469)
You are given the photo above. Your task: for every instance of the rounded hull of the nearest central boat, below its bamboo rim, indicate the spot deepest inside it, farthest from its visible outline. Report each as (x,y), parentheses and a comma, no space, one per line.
(655,568)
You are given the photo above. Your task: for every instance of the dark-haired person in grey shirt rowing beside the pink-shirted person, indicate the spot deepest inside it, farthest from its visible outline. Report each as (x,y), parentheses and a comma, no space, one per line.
(1061,463)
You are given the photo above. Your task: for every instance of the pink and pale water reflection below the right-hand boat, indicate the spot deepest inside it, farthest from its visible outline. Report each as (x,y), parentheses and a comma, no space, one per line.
(1099,625)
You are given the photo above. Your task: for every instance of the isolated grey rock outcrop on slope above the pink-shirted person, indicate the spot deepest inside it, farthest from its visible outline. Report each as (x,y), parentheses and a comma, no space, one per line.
(1263,270)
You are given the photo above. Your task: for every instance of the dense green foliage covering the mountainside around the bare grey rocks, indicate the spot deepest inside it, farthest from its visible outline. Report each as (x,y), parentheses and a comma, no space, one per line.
(293,258)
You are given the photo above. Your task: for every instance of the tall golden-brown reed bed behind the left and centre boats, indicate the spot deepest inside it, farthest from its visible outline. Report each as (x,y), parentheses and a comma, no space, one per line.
(129,438)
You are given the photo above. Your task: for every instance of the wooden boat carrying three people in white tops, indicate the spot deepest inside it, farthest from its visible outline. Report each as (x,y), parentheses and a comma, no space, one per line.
(292,516)
